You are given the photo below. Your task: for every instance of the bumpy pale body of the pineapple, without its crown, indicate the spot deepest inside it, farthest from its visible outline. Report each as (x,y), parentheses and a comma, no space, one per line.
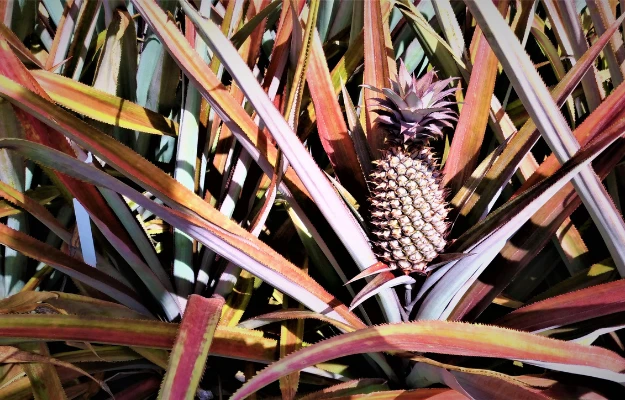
(408,209)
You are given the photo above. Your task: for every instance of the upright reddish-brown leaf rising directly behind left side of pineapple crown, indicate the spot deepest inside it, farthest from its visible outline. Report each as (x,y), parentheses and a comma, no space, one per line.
(377,72)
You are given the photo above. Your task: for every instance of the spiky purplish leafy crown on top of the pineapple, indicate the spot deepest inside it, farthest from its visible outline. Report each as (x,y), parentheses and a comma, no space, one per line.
(414,110)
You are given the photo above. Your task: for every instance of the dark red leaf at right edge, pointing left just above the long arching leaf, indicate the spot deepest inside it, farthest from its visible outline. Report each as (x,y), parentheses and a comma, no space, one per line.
(592,302)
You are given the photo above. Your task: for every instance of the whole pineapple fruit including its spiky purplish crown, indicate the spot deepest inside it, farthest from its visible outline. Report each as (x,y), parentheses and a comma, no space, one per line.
(408,208)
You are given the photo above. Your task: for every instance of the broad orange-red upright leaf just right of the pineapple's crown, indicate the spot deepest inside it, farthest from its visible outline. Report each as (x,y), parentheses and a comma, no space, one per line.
(471,128)
